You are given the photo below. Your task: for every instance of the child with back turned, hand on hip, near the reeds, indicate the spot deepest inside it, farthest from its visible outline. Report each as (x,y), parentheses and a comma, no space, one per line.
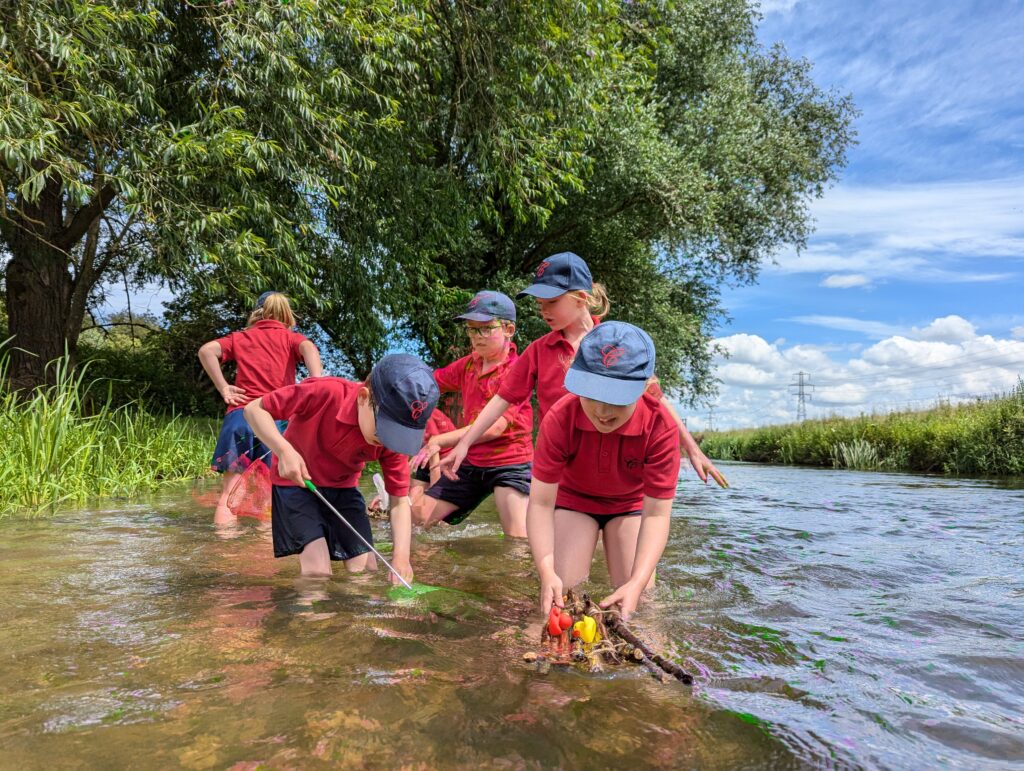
(267,354)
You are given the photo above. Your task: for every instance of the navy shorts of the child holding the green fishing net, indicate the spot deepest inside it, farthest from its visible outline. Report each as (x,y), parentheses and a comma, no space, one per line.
(298,518)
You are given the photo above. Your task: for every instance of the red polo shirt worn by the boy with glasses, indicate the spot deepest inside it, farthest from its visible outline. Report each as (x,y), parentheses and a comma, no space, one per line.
(466,376)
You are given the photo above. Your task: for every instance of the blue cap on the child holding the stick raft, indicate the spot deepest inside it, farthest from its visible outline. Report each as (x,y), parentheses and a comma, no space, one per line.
(615,362)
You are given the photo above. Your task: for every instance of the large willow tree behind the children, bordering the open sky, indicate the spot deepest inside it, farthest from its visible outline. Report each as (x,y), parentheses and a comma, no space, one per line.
(659,140)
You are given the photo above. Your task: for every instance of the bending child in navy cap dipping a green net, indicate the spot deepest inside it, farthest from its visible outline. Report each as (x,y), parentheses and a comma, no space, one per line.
(335,426)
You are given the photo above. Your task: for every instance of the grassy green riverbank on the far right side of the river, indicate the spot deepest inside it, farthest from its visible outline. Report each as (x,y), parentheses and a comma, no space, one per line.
(978,440)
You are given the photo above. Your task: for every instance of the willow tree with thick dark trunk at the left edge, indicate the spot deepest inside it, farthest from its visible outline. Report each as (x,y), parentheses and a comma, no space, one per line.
(195,142)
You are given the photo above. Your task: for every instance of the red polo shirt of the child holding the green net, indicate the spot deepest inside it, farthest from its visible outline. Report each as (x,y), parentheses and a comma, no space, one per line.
(324,427)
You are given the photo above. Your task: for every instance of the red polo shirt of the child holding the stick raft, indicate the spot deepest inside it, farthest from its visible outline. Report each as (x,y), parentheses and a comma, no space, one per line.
(608,474)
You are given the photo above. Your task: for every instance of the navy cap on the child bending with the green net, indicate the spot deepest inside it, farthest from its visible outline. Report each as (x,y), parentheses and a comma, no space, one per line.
(406,396)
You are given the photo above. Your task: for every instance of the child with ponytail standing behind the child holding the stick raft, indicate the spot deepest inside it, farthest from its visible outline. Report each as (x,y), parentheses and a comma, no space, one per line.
(572,305)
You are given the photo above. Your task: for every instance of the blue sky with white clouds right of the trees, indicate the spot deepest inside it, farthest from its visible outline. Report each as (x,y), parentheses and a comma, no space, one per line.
(911,288)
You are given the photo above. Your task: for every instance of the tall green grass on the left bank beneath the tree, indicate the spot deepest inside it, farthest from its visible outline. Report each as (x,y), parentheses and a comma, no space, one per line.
(62,446)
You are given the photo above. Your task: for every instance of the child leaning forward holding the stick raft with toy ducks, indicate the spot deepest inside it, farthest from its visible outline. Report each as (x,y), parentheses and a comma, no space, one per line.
(607,464)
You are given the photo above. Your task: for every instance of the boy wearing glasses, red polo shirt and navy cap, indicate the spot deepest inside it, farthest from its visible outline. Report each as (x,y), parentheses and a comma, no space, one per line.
(500,462)
